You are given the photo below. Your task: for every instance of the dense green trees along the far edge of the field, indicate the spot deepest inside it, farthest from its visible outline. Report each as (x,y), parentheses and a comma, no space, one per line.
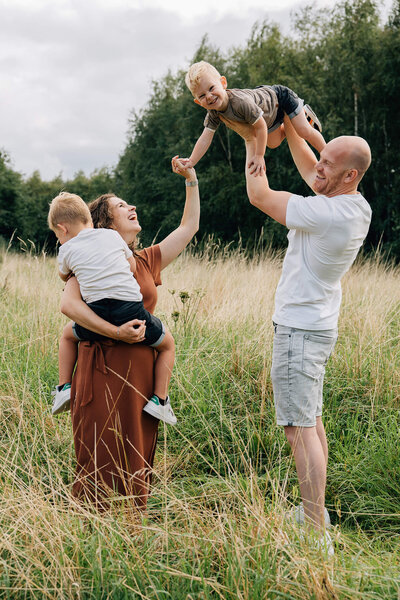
(342,61)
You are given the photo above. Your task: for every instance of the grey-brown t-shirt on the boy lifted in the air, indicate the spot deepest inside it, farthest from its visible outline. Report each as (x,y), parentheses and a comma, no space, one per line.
(246,106)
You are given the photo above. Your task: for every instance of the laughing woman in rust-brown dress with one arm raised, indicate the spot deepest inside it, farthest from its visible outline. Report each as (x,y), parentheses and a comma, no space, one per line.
(114,439)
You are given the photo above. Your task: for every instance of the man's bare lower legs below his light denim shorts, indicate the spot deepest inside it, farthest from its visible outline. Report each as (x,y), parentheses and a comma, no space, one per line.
(310,458)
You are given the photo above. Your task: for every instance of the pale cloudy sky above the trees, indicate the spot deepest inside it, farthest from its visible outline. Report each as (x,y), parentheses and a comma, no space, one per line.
(72,71)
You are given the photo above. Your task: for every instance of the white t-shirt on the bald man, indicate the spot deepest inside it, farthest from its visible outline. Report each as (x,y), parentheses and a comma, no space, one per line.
(324,239)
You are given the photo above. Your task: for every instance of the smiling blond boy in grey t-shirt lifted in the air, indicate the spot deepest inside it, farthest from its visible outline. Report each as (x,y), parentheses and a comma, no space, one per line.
(264,108)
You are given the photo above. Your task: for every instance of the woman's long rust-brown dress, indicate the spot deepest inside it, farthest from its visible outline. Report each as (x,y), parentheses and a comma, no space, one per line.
(114,440)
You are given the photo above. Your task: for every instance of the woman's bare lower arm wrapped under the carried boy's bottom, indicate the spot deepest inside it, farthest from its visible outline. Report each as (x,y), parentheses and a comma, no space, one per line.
(76,309)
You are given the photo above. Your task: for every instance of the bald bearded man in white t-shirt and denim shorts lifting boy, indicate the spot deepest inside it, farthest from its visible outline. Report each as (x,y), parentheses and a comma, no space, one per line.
(326,232)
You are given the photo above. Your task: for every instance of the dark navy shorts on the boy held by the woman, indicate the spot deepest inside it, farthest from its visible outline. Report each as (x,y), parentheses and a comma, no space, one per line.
(119,312)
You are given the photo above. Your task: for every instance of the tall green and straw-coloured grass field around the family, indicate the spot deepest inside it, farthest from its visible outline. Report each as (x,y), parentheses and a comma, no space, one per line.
(224,477)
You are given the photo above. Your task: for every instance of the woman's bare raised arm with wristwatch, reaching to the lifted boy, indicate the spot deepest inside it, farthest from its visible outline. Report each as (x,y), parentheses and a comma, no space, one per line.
(178,239)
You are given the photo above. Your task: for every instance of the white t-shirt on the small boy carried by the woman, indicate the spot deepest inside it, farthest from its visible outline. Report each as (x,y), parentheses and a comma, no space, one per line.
(98,259)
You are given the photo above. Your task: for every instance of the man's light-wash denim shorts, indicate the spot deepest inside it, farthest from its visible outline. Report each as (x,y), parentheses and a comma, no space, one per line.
(298,368)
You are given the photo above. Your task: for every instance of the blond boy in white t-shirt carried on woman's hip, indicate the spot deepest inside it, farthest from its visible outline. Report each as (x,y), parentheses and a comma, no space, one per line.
(103,265)
